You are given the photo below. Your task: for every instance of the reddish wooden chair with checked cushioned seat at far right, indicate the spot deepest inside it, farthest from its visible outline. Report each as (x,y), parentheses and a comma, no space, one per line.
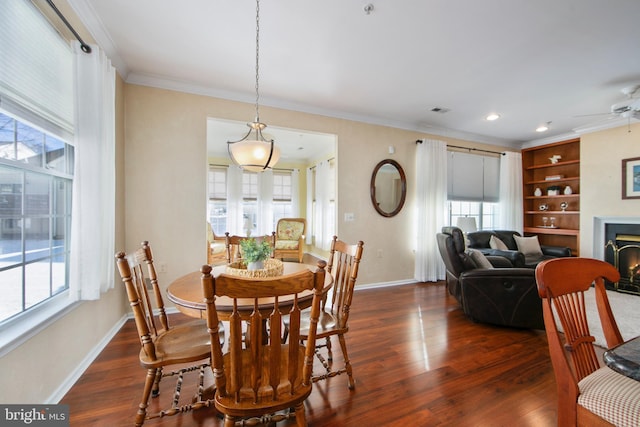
(588,394)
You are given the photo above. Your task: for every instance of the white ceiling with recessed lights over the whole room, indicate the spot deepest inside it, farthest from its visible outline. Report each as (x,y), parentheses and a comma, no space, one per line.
(530,61)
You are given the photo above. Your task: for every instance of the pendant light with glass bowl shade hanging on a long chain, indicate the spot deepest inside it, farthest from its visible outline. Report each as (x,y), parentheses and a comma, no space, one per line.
(254,152)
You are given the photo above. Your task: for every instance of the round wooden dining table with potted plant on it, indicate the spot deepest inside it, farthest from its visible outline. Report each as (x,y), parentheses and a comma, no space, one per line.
(186,293)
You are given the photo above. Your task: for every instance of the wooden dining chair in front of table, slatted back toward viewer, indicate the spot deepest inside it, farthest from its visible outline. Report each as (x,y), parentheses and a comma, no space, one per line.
(255,383)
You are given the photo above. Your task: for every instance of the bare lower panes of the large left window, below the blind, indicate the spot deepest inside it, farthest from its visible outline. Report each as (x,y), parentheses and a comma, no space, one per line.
(35,215)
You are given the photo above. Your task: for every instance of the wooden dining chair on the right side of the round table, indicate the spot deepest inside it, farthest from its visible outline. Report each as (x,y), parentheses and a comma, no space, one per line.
(344,261)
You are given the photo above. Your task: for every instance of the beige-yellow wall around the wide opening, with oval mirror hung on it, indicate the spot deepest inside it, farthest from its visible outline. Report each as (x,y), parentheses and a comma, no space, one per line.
(165,166)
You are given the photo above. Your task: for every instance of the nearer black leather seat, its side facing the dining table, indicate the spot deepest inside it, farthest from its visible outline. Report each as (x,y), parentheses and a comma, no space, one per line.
(501,295)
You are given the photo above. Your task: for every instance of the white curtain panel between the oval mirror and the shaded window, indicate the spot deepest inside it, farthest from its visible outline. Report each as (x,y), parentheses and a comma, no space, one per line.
(431,201)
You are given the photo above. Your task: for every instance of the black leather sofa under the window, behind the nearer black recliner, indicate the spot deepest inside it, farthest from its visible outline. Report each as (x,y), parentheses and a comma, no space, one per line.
(480,240)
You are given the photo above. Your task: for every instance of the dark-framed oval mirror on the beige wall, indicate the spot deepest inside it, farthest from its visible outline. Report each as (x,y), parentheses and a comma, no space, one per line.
(388,187)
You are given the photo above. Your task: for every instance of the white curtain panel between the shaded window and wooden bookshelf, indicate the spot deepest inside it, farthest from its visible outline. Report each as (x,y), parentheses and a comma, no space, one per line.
(510,207)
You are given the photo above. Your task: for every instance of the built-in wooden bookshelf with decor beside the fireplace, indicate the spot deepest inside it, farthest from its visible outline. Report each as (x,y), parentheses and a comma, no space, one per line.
(551,193)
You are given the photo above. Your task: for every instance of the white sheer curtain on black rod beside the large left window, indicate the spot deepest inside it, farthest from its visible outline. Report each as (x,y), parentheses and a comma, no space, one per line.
(93,210)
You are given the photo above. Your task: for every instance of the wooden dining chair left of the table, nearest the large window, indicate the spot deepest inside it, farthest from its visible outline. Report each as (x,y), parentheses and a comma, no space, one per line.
(186,344)
